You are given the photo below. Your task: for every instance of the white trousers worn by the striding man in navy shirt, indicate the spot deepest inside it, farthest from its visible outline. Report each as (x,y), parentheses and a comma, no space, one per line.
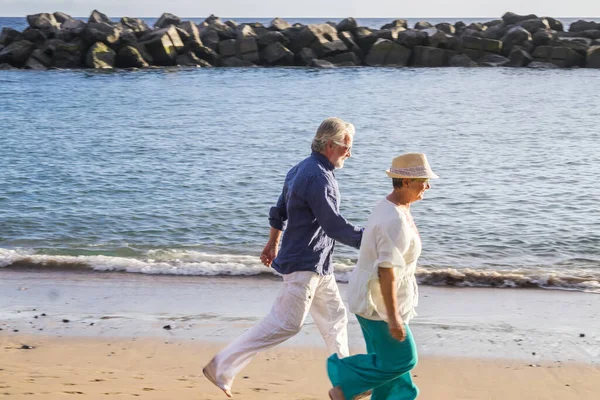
(301,292)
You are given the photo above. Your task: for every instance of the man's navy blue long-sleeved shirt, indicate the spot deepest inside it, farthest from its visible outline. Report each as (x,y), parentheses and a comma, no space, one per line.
(309,214)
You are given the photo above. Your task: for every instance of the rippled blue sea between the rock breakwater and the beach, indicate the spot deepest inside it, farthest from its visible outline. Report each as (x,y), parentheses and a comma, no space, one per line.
(173,171)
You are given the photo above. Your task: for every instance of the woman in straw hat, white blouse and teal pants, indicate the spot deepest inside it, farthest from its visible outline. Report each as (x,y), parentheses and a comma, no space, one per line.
(383,293)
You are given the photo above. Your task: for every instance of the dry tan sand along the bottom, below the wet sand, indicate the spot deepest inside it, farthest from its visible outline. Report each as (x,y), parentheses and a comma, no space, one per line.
(93,368)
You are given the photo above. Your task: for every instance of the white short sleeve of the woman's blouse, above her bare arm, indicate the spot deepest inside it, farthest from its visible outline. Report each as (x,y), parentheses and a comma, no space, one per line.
(391,245)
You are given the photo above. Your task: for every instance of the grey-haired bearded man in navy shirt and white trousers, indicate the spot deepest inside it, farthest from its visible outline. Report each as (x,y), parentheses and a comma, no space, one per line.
(309,206)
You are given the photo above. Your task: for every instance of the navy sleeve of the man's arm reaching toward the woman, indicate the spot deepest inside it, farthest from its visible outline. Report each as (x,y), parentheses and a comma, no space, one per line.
(322,199)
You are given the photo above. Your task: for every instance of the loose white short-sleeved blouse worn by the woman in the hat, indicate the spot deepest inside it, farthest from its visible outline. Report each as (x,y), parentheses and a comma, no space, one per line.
(390,240)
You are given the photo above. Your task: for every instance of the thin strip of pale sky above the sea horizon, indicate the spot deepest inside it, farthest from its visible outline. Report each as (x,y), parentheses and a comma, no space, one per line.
(305,8)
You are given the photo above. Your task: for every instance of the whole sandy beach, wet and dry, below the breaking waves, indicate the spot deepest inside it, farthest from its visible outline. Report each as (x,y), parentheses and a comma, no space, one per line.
(98,336)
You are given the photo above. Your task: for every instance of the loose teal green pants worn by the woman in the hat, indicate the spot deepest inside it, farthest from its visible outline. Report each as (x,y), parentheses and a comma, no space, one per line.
(385,369)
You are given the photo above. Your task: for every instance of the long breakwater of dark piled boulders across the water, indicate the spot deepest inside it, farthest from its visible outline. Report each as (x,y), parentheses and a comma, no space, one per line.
(59,41)
